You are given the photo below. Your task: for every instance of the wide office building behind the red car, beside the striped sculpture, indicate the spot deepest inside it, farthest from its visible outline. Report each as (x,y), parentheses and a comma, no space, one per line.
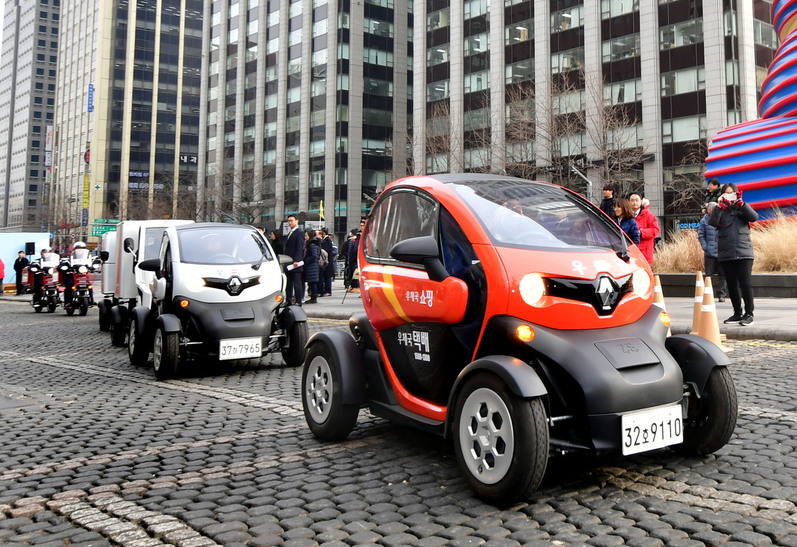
(605,91)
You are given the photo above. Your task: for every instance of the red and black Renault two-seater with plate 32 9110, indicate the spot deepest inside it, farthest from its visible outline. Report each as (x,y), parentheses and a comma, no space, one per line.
(515,318)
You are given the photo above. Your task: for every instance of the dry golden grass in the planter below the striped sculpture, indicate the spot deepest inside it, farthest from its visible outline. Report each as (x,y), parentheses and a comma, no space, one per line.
(774,245)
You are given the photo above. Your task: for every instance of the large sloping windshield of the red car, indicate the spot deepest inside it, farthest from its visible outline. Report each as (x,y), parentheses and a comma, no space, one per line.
(519,213)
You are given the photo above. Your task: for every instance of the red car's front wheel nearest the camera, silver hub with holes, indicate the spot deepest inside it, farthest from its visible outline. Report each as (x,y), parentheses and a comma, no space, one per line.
(517,432)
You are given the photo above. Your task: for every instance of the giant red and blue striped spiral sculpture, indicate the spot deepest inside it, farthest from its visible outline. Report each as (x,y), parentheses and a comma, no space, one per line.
(760,156)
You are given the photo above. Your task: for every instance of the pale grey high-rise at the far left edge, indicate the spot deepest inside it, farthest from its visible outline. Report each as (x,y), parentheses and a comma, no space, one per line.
(28,64)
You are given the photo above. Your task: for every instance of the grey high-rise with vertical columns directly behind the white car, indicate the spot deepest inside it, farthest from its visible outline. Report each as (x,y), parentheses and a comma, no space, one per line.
(307,108)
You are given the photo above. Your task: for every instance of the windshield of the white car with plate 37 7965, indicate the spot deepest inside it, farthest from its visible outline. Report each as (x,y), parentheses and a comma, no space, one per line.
(222,245)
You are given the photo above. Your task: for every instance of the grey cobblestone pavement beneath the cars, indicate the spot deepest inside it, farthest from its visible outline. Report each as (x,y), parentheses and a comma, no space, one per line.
(94,451)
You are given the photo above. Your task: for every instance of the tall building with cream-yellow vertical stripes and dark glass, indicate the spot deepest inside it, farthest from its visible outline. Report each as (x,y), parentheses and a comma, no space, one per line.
(127,127)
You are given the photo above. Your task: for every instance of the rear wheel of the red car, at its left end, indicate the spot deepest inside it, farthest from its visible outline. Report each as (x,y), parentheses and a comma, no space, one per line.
(322,388)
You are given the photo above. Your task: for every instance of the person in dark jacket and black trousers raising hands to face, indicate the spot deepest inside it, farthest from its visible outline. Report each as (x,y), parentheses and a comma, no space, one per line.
(732,217)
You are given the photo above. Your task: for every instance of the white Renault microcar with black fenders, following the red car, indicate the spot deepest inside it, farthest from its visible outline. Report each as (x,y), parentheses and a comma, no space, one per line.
(218,295)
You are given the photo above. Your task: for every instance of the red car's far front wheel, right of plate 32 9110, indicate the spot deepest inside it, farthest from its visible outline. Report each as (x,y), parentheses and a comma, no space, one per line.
(710,419)
